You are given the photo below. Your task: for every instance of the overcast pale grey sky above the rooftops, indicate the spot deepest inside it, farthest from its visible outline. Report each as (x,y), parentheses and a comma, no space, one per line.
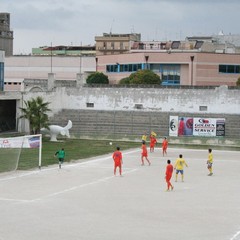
(74,22)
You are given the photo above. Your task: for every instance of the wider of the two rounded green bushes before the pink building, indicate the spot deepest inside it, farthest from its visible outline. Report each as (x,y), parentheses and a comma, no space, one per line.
(142,77)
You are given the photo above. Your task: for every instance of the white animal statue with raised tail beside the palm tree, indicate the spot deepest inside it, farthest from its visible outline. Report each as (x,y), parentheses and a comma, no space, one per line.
(55,130)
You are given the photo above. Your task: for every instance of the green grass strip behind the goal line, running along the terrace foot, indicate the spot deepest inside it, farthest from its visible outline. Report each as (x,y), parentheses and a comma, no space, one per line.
(76,149)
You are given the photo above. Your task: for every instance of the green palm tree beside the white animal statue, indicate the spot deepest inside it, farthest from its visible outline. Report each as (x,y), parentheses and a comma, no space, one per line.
(36,113)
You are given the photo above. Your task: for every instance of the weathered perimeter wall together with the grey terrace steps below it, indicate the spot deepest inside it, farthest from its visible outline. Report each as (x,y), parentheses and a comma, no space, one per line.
(125,112)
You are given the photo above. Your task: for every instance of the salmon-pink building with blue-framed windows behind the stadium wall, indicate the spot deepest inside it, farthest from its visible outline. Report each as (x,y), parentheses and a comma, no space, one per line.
(175,67)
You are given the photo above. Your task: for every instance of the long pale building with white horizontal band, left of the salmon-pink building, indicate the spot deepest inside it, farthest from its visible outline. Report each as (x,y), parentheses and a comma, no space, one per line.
(20,68)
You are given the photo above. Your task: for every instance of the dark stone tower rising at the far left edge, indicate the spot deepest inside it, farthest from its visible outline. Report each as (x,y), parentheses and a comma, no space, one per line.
(6,35)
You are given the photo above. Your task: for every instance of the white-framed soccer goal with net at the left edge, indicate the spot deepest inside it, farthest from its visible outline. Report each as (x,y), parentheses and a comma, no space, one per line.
(21,153)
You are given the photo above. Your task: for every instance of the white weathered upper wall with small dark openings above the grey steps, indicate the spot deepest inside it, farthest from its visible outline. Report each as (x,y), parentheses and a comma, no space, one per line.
(219,100)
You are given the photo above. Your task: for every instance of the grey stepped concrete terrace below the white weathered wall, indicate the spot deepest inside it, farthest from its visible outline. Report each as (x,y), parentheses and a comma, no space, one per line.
(130,123)
